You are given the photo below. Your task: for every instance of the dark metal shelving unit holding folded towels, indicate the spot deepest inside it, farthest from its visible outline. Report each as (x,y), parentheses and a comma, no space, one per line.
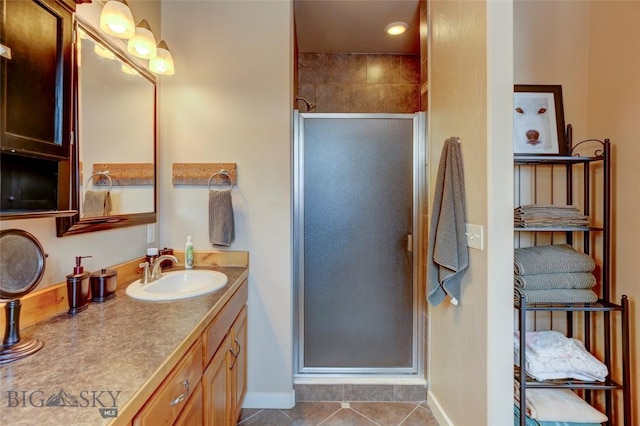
(582,316)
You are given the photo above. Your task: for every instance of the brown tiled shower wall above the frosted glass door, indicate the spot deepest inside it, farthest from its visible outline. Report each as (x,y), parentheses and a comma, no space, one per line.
(352,82)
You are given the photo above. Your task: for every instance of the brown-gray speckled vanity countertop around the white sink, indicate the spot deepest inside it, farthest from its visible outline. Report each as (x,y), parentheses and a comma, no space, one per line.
(110,356)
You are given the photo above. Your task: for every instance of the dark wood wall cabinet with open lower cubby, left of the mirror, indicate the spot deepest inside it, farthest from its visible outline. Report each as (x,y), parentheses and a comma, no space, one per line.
(36,119)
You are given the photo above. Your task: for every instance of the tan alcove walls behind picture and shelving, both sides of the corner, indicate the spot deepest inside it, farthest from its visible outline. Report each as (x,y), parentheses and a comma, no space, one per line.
(591,49)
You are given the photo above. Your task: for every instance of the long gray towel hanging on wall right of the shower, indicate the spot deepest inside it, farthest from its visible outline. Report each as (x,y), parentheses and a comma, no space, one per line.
(448,254)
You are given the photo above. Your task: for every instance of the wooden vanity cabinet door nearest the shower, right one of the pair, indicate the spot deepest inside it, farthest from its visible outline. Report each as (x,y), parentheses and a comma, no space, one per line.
(238,368)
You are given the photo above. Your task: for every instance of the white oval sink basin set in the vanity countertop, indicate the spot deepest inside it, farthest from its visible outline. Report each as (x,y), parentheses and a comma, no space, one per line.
(176,285)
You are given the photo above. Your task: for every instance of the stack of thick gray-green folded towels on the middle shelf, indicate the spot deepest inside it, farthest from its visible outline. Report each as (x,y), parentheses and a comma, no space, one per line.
(554,274)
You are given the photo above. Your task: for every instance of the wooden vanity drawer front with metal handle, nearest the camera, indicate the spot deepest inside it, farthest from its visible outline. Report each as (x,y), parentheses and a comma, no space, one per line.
(173,394)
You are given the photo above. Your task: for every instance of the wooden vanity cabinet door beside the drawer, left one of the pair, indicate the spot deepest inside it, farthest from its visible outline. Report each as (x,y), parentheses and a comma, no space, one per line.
(216,387)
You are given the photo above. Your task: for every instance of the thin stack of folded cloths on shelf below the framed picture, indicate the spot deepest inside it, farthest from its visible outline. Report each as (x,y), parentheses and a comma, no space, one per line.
(548,215)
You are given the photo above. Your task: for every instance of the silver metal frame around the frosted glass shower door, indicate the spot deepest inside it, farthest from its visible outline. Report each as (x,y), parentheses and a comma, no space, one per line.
(418,248)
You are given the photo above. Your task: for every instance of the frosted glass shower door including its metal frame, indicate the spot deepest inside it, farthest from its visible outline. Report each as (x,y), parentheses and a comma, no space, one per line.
(358,180)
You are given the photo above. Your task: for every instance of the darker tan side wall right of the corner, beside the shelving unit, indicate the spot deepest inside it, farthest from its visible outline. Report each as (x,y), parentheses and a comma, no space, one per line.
(613,109)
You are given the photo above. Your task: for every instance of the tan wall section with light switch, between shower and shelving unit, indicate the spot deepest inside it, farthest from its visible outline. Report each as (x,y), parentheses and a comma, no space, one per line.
(470,92)
